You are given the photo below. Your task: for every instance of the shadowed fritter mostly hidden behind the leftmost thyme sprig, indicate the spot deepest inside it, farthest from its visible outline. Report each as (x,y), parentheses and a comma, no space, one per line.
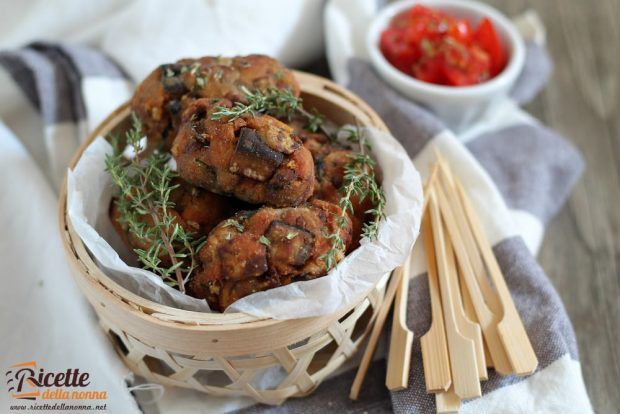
(196,210)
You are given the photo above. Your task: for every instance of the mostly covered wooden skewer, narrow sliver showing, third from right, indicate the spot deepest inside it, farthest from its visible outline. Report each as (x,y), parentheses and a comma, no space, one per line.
(466,327)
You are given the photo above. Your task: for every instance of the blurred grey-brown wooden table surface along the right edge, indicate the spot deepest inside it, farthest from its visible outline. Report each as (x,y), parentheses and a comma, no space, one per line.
(581,250)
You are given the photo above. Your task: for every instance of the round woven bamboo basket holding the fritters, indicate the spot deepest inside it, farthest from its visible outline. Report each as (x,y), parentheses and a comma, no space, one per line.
(223,354)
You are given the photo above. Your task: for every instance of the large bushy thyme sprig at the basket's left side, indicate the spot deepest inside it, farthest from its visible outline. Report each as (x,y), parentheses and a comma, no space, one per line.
(145,186)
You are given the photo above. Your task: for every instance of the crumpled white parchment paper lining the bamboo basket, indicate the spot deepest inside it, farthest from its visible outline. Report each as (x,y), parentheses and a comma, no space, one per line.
(90,189)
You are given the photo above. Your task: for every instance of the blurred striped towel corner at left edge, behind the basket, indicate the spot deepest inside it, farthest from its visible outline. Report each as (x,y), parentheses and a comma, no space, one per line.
(52,95)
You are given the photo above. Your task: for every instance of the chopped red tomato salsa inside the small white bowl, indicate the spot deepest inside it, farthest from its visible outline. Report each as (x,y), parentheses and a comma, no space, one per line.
(435,47)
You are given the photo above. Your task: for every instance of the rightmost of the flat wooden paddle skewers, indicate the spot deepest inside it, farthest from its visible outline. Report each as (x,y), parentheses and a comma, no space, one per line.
(511,329)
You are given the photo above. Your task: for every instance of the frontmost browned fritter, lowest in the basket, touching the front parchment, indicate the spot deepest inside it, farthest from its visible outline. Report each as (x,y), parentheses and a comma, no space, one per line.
(264,249)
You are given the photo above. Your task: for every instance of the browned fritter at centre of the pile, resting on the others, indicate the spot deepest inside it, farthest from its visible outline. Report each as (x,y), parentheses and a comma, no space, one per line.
(257,159)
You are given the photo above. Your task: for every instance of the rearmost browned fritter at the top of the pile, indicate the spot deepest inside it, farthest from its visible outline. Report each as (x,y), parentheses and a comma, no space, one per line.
(159,100)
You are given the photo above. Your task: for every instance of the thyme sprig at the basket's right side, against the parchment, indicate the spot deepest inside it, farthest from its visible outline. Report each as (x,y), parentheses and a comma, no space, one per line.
(359,181)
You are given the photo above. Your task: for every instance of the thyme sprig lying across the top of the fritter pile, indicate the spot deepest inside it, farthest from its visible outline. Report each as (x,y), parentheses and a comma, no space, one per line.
(280,103)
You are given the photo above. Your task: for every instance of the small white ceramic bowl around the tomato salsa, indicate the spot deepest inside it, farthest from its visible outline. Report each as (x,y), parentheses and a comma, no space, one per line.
(458,107)
